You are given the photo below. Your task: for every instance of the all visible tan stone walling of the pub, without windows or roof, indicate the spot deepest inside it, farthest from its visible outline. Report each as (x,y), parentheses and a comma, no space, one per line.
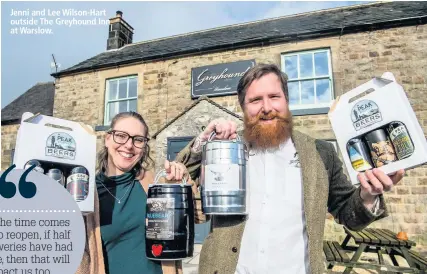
(164,92)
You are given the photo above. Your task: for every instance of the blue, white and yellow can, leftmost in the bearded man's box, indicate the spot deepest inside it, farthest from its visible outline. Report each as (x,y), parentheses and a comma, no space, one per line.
(359,155)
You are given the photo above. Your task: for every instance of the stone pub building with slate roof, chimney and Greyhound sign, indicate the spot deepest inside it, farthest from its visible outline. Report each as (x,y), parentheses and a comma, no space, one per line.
(180,83)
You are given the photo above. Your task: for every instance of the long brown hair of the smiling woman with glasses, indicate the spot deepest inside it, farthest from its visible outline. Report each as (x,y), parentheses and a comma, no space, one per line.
(146,161)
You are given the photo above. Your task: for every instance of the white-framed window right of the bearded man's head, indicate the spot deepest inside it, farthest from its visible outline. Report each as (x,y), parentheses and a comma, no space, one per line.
(309,78)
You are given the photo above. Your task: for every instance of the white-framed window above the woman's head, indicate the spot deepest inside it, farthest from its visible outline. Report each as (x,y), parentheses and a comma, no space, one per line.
(121,96)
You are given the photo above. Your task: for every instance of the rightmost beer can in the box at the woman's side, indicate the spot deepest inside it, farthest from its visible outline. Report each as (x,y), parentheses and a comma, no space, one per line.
(78,183)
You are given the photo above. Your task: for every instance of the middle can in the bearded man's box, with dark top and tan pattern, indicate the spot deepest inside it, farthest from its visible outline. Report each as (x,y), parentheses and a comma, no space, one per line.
(381,148)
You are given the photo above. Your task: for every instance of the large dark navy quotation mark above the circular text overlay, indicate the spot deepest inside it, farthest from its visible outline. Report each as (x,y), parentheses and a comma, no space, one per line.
(26,189)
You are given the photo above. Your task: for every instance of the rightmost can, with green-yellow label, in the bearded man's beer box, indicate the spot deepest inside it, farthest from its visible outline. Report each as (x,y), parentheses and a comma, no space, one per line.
(401,140)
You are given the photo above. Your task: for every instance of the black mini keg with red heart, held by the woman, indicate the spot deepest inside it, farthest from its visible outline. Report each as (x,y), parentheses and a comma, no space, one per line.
(169,230)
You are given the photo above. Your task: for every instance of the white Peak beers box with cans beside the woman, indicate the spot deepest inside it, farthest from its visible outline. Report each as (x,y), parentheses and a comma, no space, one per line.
(63,150)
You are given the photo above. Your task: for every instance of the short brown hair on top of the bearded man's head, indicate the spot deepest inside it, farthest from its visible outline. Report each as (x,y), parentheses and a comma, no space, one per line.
(257,72)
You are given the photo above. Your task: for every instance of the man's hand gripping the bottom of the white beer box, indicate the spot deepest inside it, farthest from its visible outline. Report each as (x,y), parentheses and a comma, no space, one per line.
(379,183)
